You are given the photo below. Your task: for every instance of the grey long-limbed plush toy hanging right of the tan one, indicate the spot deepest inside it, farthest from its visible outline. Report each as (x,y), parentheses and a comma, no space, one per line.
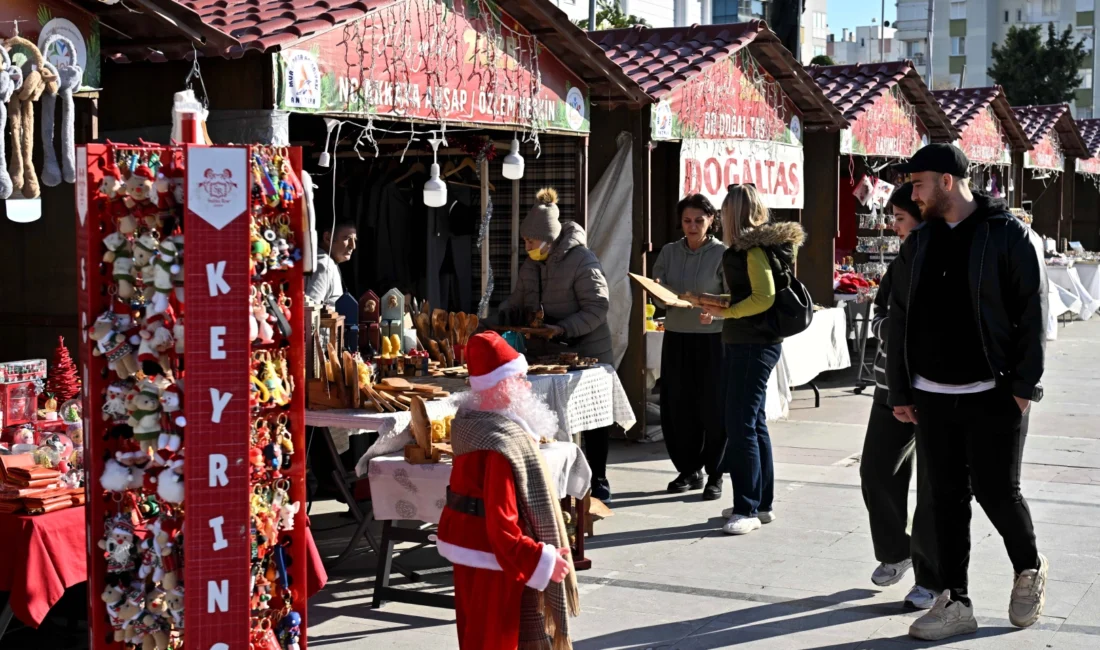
(62,83)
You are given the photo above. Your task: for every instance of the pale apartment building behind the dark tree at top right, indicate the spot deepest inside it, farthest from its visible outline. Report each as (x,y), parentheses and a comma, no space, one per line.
(965,32)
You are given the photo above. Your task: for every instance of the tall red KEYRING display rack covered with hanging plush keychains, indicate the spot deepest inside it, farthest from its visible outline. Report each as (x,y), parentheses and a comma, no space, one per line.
(195,422)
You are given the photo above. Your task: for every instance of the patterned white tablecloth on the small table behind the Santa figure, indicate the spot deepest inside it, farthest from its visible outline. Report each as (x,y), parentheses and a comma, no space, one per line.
(402,491)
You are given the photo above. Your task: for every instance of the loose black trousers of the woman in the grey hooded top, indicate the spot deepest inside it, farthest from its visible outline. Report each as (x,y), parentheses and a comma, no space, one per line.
(691,413)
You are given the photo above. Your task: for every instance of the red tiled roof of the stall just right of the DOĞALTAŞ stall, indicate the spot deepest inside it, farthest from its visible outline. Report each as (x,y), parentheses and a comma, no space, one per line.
(854,89)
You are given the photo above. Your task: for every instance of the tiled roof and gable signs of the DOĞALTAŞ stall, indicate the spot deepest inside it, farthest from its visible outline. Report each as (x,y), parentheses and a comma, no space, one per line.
(734,97)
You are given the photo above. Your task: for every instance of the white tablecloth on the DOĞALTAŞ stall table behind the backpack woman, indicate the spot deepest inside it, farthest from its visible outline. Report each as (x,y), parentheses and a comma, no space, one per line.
(819,349)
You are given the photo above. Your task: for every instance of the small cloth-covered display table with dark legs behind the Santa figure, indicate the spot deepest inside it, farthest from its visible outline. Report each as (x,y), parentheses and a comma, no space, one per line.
(403,492)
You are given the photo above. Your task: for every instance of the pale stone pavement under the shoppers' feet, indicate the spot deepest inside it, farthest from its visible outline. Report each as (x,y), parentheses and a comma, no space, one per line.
(665,577)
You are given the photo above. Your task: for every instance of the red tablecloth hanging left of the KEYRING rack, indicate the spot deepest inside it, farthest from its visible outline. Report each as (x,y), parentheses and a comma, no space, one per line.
(42,557)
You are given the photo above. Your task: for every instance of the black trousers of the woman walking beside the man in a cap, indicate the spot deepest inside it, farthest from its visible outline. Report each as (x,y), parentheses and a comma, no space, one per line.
(885,472)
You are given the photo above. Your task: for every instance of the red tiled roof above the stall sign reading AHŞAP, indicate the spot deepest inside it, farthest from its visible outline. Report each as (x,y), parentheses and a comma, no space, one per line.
(233,29)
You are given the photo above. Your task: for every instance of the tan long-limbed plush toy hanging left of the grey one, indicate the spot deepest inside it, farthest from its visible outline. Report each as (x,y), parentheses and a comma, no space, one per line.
(21,107)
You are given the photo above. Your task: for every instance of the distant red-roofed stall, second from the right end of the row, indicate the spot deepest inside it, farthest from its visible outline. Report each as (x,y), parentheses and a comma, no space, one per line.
(1057,145)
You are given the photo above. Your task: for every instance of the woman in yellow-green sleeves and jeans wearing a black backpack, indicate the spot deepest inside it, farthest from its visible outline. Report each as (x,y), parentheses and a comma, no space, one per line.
(758,251)
